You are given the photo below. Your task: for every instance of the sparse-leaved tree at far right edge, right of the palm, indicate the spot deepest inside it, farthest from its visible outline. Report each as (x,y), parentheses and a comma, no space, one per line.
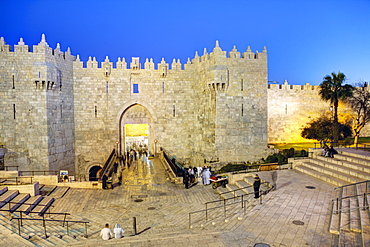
(360,104)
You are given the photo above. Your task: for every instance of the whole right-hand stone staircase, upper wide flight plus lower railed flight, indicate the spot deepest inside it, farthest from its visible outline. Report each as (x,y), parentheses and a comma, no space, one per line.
(349,213)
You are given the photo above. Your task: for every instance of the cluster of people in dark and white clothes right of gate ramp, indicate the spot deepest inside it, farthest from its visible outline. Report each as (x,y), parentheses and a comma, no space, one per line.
(191,174)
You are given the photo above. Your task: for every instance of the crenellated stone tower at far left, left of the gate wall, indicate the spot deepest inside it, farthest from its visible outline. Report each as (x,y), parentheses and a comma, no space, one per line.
(37,125)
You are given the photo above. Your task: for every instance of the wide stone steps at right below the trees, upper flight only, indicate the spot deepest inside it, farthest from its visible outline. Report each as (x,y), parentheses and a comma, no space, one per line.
(348,166)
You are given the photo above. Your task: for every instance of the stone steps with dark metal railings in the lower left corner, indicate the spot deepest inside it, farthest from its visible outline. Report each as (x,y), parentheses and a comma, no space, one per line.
(32,210)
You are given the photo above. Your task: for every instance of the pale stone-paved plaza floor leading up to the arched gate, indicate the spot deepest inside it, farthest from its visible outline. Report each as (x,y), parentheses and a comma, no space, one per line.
(292,215)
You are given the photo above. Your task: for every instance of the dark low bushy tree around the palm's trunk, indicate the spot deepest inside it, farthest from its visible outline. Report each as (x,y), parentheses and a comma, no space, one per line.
(321,129)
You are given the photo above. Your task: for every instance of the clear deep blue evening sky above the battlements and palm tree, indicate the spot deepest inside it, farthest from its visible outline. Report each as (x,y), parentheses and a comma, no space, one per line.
(305,39)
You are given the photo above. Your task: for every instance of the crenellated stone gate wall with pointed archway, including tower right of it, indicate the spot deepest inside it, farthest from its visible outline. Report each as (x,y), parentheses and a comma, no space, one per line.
(213,109)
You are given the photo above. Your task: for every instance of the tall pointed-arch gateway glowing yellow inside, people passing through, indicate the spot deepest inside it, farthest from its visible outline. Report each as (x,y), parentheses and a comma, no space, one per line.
(136,130)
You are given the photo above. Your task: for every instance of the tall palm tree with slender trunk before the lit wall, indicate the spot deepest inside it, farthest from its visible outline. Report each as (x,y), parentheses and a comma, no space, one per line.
(331,89)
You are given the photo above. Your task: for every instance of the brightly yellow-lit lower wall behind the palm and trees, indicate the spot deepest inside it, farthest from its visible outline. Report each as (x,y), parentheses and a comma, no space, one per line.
(291,107)
